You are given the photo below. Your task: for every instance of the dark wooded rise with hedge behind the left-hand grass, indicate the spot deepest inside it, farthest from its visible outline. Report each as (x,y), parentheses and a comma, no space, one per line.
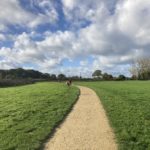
(20,76)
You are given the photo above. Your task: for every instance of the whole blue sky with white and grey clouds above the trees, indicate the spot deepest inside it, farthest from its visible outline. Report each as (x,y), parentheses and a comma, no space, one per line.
(72,36)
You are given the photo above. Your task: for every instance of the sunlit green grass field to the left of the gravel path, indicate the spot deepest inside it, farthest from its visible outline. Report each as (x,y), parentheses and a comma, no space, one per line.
(28,114)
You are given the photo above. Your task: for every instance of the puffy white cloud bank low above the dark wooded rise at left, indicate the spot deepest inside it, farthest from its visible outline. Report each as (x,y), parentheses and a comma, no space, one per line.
(46,54)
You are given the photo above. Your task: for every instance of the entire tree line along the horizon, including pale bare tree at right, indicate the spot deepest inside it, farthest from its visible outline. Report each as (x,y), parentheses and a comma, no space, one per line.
(140,70)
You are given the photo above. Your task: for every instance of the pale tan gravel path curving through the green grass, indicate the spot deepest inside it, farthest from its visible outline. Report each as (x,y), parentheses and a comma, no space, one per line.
(86,127)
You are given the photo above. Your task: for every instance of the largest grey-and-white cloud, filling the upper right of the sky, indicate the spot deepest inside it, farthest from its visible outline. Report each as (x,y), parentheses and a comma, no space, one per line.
(118,32)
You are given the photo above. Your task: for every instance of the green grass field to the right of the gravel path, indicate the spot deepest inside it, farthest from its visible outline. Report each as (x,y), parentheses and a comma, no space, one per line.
(127,105)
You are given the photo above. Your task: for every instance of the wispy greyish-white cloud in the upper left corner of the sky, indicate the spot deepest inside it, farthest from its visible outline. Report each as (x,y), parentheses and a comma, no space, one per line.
(12,13)
